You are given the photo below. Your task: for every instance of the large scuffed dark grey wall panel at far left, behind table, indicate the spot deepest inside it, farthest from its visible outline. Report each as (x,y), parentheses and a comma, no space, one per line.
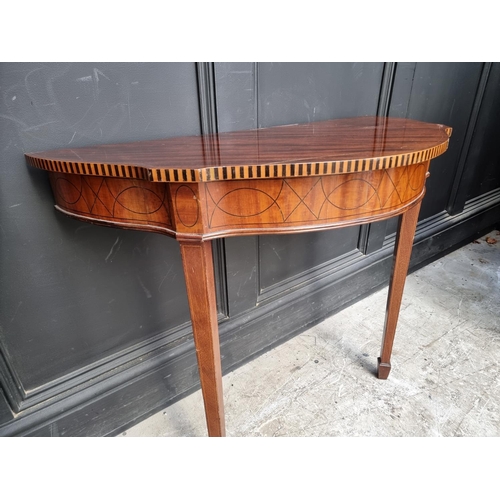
(77,299)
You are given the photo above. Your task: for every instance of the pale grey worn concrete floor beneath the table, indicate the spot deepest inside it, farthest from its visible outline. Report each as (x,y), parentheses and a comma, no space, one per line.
(445,378)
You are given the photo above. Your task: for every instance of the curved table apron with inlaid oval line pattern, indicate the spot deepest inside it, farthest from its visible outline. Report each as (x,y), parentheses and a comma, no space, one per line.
(205,211)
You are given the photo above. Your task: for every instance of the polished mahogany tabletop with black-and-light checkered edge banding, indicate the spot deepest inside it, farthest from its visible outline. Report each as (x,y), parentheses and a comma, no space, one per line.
(301,150)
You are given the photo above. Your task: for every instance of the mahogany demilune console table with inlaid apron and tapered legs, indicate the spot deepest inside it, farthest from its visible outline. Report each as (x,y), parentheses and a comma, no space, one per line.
(277,180)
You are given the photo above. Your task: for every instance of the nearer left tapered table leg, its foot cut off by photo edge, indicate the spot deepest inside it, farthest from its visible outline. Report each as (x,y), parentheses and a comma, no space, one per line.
(199,275)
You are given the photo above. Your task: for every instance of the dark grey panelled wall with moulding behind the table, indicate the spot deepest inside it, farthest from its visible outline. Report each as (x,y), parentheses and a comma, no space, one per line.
(94,325)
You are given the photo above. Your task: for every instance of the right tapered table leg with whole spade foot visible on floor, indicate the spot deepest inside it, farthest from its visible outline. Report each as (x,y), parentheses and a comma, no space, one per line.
(402,253)
